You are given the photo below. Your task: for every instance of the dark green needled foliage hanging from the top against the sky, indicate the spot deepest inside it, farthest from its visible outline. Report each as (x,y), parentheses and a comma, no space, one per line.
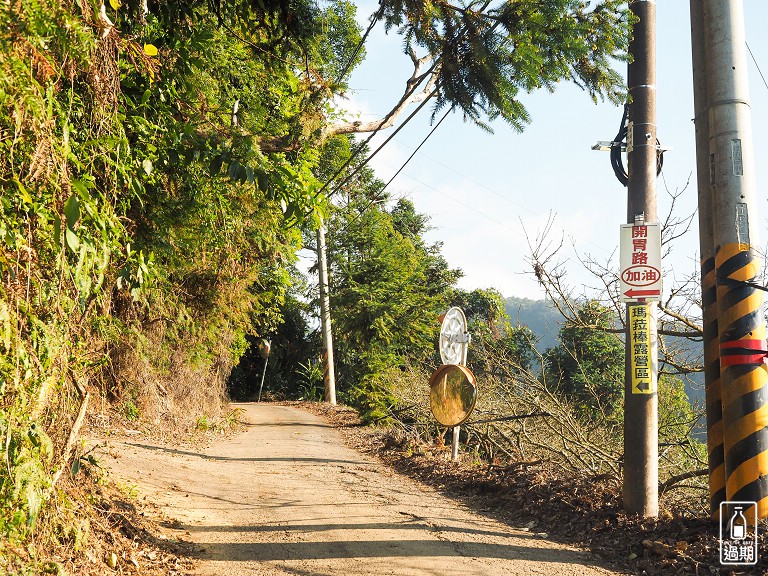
(486,54)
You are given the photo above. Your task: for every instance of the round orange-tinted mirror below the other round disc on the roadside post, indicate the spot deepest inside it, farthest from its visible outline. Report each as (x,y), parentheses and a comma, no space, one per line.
(452,394)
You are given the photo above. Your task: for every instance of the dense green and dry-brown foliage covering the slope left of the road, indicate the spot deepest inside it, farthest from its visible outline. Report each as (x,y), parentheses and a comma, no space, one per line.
(142,234)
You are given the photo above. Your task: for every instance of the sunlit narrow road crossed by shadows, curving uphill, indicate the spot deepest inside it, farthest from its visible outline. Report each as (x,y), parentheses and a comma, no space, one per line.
(286,496)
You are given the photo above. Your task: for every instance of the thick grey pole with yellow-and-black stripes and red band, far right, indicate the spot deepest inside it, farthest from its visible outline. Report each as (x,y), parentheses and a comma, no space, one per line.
(741,324)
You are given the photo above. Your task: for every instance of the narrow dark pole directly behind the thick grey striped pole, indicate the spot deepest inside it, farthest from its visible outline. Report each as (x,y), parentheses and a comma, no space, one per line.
(714,406)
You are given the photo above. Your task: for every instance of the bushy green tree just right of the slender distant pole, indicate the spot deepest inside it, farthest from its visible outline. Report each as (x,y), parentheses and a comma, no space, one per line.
(388,289)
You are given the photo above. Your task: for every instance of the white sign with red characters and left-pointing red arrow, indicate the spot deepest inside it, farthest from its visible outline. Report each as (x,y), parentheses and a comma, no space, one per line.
(640,260)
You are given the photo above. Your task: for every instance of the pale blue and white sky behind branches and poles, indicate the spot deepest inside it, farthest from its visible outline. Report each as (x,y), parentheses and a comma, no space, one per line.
(488,194)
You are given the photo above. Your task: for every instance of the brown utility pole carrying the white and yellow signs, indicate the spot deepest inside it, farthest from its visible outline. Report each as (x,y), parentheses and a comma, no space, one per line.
(641,462)
